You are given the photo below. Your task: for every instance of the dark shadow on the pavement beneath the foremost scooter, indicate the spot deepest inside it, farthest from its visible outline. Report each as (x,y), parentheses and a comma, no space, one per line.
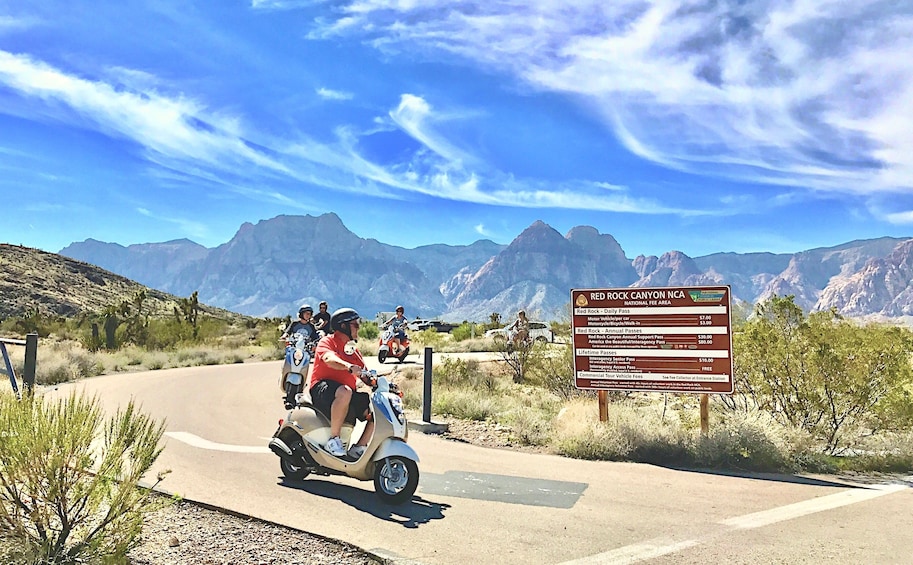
(412,514)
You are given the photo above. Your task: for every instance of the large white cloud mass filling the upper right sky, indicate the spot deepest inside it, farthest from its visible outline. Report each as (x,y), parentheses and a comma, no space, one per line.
(801,93)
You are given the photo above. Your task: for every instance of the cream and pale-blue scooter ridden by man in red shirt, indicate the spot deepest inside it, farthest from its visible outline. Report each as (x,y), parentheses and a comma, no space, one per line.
(387,459)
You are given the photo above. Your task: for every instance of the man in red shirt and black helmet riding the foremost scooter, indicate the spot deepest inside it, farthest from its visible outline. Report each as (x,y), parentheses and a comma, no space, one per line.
(332,382)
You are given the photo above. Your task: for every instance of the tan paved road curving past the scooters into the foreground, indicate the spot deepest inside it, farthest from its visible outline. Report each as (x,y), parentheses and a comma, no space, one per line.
(477,505)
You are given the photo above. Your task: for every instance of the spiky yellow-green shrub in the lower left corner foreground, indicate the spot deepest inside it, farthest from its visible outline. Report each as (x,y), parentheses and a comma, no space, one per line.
(69,479)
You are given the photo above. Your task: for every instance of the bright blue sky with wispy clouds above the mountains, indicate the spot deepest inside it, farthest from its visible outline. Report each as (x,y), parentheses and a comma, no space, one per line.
(699,126)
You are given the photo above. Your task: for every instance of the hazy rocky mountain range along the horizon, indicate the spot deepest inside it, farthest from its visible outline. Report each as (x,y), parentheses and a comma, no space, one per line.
(270,268)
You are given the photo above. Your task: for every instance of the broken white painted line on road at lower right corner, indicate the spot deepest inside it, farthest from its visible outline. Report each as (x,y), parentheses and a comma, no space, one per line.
(657,547)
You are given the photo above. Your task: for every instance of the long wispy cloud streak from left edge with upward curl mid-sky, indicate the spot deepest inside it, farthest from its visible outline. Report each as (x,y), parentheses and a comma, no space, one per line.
(183,136)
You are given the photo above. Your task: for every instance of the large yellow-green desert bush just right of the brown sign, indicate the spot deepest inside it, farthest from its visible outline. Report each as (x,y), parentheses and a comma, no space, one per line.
(825,374)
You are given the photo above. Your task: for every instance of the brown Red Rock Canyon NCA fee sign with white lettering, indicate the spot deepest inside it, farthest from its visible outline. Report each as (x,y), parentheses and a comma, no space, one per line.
(675,339)
